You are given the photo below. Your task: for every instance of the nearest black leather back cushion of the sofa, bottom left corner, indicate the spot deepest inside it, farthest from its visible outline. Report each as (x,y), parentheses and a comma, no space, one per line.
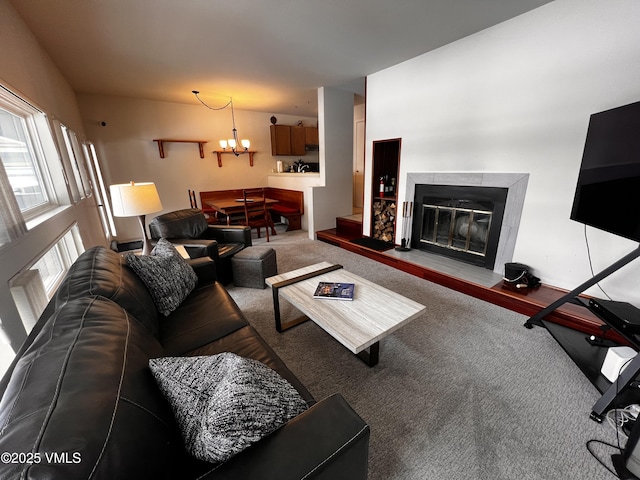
(84,389)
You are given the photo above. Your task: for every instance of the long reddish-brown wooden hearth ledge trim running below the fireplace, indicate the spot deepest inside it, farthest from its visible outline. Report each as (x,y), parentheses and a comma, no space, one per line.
(527,303)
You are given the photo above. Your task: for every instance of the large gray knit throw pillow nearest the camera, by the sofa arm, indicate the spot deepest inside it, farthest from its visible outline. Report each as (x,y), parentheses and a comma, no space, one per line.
(224,403)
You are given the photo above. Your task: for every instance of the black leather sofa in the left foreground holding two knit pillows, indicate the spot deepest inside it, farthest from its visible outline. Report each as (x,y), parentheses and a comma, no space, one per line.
(79,401)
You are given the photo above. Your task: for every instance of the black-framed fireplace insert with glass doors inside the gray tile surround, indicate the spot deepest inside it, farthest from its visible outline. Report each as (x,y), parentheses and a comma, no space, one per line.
(462,222)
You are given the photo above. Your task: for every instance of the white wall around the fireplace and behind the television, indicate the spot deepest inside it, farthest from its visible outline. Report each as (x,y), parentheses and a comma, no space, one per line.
(517,98)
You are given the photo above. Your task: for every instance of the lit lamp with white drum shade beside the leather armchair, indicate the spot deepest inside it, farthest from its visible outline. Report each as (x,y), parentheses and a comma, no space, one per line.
(136,199)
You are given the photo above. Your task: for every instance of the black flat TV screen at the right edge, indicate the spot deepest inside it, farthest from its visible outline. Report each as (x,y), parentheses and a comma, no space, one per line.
(608,191)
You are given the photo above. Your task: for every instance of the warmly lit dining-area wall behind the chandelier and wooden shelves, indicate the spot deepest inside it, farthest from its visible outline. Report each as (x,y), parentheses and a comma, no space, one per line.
(128,151)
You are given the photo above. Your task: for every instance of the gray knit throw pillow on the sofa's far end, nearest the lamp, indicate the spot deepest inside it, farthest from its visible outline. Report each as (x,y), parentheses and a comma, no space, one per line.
(168,277)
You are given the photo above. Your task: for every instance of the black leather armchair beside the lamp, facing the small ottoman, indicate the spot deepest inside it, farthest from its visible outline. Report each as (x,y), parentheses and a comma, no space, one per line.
(190,229)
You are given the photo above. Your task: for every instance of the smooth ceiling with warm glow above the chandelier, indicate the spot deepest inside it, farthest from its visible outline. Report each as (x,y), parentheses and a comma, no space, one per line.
(269,55)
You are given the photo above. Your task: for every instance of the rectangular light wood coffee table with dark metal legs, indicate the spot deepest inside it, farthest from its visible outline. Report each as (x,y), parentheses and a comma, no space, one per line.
(360,324)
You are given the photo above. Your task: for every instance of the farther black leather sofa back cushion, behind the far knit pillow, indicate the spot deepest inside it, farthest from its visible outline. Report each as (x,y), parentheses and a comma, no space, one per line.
(100,271)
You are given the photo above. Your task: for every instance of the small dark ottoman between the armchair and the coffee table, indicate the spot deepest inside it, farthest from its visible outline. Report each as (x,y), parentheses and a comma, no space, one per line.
(252,265)
